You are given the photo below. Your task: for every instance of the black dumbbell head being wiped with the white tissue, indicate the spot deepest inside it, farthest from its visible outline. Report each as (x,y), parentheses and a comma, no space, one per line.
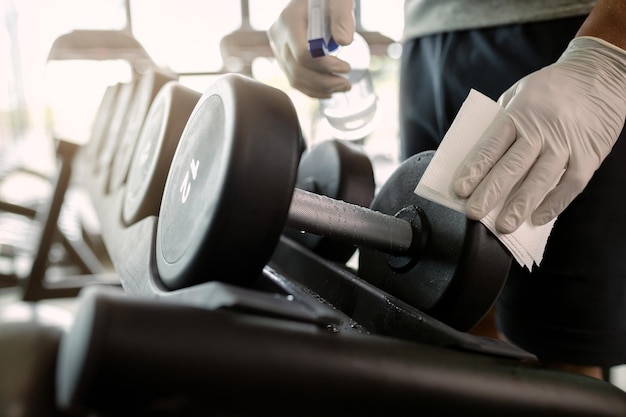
(462,267)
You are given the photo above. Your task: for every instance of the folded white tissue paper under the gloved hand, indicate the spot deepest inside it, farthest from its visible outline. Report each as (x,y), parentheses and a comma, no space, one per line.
(527,243)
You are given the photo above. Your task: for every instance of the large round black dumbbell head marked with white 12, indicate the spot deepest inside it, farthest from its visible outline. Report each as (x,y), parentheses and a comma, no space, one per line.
(229,188)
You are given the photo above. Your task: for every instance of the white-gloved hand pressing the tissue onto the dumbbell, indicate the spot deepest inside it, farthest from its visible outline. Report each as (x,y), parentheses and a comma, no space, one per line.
(562,119)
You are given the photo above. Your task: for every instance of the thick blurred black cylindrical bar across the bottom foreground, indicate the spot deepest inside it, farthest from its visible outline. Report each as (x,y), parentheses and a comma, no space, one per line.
(129,355)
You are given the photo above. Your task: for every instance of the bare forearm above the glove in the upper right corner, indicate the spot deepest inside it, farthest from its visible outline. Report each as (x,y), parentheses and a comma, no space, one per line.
(607,21)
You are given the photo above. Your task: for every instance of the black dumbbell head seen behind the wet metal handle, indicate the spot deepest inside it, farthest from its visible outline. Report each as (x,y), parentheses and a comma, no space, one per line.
(339,170)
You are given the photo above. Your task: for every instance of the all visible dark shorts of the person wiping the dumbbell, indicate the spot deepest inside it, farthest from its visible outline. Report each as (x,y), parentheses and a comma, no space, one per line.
(572,308)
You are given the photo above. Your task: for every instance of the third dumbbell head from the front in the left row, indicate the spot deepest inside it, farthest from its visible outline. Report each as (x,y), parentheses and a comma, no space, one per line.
(147,89)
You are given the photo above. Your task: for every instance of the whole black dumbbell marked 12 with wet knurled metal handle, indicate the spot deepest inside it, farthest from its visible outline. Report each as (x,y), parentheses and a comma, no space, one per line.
(230,192)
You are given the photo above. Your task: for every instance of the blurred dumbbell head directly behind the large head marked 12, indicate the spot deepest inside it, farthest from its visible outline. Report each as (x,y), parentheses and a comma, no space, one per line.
(156,145)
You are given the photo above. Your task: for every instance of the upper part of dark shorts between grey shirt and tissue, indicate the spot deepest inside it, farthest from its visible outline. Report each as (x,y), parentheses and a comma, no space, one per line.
(437,72)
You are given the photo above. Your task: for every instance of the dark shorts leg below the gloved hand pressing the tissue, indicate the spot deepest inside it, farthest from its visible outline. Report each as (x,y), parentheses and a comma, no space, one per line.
(572,308)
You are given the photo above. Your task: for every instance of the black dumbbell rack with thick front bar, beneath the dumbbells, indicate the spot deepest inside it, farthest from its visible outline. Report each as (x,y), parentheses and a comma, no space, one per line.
(307,338)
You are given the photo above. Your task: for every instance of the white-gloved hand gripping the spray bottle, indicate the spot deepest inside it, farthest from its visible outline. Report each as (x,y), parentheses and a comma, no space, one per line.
(315,77)
